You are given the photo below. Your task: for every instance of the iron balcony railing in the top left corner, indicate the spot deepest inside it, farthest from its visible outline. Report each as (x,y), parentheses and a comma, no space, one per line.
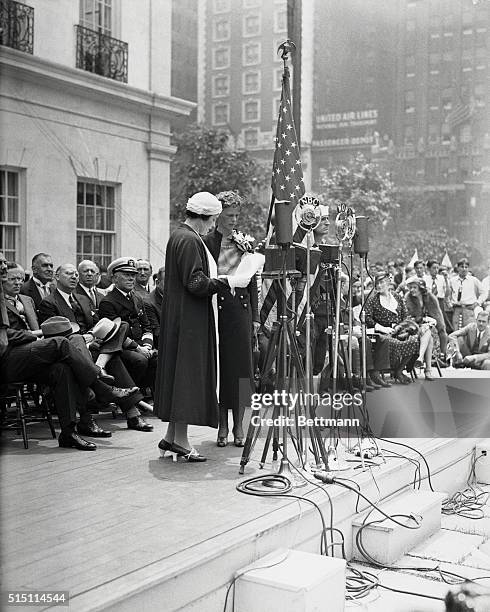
(17,26)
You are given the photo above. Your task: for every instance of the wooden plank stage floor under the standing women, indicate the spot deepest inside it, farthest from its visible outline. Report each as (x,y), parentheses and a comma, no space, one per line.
(77,521)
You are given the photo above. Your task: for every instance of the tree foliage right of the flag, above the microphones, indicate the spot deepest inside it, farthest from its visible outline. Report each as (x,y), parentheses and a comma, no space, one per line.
(362,186)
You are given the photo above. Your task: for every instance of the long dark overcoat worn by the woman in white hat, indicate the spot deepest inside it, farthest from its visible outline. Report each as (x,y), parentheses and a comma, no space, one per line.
(186,372)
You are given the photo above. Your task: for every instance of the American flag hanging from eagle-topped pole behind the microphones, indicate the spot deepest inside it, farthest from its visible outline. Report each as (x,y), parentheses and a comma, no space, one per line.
(287,186)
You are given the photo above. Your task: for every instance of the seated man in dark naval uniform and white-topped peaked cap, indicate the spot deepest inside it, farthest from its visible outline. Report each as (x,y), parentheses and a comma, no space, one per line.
(122,302)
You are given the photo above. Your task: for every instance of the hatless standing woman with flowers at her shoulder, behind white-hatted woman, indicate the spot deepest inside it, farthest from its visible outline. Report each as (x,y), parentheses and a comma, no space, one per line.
(237,317)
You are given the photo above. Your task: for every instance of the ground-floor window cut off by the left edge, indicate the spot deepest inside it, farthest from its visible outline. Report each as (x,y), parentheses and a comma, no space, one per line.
(9,214)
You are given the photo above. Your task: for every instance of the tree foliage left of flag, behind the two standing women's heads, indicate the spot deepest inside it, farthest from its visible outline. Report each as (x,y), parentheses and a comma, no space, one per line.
(206,160)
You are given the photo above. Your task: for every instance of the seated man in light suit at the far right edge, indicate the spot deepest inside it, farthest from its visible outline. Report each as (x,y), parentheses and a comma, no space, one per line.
(471,344)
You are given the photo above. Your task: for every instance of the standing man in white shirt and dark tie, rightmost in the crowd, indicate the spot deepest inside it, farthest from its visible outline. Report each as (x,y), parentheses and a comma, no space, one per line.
(466,294)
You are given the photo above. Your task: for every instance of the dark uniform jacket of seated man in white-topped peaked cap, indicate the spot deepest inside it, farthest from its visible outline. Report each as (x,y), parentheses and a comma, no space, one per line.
(115,304)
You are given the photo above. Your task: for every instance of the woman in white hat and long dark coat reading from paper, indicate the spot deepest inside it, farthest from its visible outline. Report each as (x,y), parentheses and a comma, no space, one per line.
(186,386)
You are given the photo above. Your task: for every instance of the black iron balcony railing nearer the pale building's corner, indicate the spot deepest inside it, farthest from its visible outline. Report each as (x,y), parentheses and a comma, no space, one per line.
(102,54)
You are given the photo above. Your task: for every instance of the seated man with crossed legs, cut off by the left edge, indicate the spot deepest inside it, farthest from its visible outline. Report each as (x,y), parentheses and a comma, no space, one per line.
(63,365)
